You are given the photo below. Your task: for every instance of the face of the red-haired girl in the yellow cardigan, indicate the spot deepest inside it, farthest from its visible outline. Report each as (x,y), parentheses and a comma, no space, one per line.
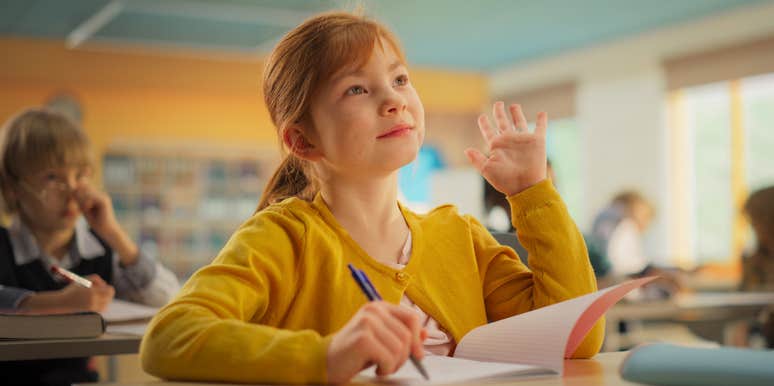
(368,121)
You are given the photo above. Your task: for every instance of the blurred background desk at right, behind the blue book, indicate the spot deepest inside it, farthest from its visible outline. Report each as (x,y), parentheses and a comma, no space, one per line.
(720,307)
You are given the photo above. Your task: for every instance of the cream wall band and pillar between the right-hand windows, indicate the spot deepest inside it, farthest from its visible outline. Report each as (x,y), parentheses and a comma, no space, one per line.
(621,104)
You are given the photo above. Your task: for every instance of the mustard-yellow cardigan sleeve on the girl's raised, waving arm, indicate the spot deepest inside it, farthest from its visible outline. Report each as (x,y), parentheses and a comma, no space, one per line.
(559,267)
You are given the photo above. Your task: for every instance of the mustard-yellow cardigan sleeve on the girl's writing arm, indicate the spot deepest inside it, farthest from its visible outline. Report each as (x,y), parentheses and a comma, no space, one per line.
(213,330)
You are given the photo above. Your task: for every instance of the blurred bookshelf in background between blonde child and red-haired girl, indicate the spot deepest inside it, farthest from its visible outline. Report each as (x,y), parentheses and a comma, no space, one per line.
(182,206)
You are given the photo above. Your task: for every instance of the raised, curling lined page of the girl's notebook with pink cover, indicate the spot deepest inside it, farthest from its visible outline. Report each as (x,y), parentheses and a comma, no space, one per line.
(540,337)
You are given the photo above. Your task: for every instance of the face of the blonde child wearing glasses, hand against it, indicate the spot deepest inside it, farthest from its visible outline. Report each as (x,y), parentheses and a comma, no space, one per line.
(45,198)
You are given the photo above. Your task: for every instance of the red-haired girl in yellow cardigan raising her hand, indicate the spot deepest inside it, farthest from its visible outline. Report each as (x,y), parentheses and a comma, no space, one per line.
(278,304)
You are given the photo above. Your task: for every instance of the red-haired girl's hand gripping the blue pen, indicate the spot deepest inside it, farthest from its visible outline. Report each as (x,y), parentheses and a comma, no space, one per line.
(380,333)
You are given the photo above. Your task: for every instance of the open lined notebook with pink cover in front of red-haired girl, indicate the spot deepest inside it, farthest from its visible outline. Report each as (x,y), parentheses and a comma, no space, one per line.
(534,342)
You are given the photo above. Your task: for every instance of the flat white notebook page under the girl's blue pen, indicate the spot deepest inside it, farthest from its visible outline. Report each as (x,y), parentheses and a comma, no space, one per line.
(446,370)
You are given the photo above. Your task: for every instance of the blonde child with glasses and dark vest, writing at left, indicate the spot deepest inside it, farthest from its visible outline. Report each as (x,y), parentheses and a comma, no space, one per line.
(45,173)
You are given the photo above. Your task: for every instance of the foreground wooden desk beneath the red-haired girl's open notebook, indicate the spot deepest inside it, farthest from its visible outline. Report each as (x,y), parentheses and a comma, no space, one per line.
(602,370)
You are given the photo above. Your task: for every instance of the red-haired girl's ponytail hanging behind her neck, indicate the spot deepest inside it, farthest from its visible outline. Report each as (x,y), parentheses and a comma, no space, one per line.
(291,179)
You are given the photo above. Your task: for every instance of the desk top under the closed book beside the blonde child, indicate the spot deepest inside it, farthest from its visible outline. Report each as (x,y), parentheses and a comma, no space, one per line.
(106,344)
